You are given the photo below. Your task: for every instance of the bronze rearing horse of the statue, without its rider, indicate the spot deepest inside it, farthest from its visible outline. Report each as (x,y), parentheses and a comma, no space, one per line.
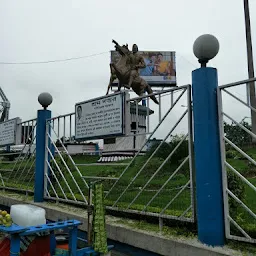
(121,70)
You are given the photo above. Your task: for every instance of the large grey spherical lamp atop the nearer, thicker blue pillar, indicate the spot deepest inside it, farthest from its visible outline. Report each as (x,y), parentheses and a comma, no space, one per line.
(205,48)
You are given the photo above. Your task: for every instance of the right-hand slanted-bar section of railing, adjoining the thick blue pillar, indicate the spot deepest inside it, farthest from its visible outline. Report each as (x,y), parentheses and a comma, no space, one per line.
(167,192)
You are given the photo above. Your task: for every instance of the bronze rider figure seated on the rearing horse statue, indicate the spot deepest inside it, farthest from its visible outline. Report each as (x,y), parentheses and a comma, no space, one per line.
(136,62)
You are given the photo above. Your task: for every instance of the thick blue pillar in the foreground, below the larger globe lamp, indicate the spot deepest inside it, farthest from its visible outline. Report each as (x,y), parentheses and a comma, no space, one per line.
(210,210)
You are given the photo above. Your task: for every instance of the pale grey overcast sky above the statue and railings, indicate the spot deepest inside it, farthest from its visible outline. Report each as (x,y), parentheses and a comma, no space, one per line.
(47,30)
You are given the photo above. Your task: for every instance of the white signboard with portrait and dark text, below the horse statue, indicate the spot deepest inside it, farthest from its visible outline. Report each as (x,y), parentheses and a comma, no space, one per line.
(100,117)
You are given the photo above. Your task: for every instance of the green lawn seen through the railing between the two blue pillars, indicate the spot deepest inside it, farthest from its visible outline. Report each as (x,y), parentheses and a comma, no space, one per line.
(168,192)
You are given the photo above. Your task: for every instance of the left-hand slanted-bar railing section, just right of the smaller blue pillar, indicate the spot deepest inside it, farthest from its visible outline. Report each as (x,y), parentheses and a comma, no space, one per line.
(61,175)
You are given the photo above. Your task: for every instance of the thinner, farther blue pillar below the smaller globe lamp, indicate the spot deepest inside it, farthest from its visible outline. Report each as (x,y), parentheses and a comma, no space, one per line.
(42,116)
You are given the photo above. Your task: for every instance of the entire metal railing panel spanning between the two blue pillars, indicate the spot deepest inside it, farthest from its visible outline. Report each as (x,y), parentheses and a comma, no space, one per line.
(167,192)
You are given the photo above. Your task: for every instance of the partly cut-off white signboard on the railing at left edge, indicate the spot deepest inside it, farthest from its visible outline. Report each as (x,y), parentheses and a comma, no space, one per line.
(10,132)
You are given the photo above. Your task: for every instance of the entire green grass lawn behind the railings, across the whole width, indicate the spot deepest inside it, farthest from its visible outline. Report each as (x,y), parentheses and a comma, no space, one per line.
(21,178)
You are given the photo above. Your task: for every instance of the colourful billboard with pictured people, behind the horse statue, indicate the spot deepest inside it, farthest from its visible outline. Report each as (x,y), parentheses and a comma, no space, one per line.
(160,67)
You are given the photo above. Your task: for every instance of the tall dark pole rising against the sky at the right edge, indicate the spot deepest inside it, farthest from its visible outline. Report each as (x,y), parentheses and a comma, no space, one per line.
(251,85)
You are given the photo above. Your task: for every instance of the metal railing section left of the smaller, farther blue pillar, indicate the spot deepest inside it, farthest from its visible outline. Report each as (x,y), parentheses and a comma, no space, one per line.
(17,164)
